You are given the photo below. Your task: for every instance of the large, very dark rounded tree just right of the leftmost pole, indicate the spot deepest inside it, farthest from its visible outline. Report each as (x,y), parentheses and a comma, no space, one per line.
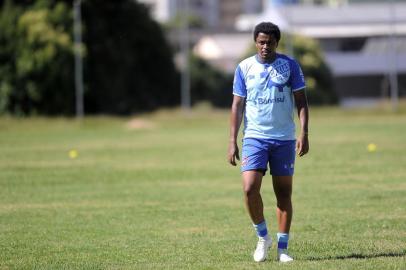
(129,66)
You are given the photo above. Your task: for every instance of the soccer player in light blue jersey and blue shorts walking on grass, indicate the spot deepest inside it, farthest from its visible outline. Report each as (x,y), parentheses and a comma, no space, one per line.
(266,87)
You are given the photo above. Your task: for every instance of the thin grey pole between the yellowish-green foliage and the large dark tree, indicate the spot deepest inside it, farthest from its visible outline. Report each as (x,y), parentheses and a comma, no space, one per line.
(77,29)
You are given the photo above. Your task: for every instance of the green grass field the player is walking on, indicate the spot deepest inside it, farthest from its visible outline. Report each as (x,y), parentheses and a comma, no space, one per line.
(157,193)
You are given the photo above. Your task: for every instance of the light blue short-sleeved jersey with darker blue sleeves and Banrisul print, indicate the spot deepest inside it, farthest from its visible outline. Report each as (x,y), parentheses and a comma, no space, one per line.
(268,92)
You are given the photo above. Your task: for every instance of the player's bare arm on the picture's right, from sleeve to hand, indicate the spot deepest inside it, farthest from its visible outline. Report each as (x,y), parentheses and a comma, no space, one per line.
(302,143)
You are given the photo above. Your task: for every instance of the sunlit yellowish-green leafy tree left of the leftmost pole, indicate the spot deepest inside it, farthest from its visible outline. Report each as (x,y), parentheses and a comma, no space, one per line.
(36,59)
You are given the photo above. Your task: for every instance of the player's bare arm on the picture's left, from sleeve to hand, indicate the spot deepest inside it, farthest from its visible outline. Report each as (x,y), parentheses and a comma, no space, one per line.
(237,109)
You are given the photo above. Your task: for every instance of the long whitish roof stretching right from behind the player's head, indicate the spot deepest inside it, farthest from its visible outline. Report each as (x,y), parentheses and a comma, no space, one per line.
(363,19)
